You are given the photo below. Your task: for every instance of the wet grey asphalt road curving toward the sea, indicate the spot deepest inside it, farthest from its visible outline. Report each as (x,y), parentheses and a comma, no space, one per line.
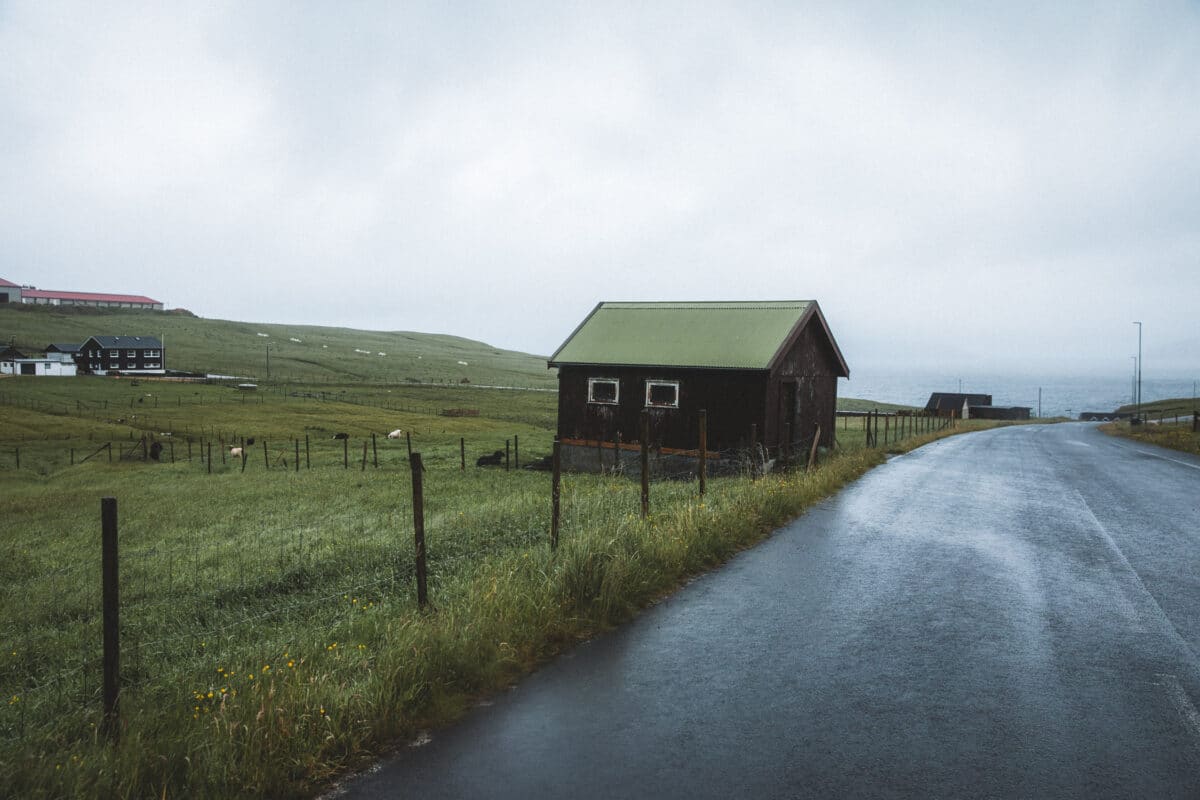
(1005,615)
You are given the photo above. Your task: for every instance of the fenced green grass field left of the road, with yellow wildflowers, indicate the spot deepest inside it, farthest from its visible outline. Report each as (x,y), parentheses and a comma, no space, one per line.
(271,635)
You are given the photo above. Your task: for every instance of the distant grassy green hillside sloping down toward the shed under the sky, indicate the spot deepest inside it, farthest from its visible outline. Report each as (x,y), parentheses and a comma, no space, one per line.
(297,353)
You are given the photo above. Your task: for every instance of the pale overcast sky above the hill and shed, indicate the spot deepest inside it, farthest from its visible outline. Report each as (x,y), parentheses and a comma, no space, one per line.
(963,187)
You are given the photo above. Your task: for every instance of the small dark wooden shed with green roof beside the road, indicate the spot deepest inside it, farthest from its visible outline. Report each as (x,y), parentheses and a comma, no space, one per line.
(763,371)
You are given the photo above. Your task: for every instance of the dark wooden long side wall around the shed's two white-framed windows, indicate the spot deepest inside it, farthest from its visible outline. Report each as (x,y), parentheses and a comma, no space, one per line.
(734,399)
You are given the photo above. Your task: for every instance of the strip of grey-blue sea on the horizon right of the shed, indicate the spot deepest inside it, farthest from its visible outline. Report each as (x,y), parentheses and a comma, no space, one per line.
(1061,396)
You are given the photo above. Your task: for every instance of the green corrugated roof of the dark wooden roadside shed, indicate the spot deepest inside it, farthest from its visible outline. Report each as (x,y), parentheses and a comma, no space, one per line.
(734,335)
